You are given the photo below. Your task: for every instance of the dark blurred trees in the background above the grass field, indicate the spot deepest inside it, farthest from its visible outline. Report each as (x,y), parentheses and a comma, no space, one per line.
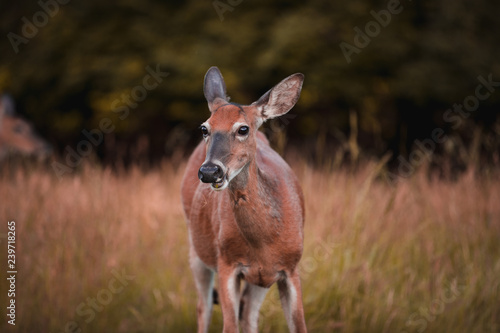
(80,63)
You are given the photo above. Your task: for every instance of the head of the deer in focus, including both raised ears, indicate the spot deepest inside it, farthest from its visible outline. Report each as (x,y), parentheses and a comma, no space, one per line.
(230,132)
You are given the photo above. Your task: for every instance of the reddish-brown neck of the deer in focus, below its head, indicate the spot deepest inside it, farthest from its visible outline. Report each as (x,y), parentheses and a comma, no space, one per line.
(255,203)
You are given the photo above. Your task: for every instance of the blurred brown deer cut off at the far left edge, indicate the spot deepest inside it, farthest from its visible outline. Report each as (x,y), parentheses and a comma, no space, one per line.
(17,135)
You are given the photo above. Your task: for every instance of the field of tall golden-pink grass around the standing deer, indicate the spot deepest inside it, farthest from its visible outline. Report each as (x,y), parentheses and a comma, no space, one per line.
(103,251)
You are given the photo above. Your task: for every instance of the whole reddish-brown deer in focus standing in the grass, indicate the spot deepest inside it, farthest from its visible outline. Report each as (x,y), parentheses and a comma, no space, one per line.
(244,210)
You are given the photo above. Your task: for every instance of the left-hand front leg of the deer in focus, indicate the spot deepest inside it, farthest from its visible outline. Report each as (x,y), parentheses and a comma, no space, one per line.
(229,296)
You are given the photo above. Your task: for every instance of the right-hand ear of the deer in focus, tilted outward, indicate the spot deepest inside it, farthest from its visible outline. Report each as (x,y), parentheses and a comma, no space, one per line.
(281,98)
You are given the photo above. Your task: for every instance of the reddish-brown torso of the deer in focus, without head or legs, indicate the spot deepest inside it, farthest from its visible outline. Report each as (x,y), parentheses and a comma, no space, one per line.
(267,246)
